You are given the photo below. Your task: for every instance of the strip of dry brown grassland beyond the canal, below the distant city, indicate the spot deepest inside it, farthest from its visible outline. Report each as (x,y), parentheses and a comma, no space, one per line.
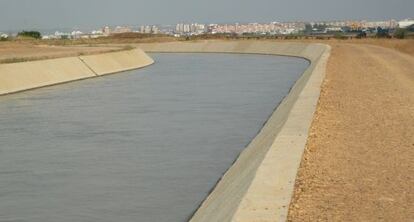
(25,50)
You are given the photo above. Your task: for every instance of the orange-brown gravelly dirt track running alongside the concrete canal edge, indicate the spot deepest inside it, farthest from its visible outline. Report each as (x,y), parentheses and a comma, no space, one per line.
(359,160)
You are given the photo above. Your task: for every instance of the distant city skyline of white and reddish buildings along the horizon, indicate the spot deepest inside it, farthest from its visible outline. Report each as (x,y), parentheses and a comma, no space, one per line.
(327,28)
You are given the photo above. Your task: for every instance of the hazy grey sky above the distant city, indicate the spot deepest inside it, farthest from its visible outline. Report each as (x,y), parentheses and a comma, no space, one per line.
(49,14)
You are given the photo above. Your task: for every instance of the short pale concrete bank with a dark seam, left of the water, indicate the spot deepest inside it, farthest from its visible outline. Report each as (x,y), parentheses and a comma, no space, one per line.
(17,77)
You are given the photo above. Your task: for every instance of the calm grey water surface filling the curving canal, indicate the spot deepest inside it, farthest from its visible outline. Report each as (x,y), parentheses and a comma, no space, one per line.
(144,145)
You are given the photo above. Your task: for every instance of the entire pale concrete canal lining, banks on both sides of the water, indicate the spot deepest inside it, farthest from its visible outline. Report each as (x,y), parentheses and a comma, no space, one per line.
(259,185)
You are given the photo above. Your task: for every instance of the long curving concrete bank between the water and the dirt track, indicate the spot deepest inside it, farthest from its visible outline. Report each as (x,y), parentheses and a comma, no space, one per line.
(259,185)
